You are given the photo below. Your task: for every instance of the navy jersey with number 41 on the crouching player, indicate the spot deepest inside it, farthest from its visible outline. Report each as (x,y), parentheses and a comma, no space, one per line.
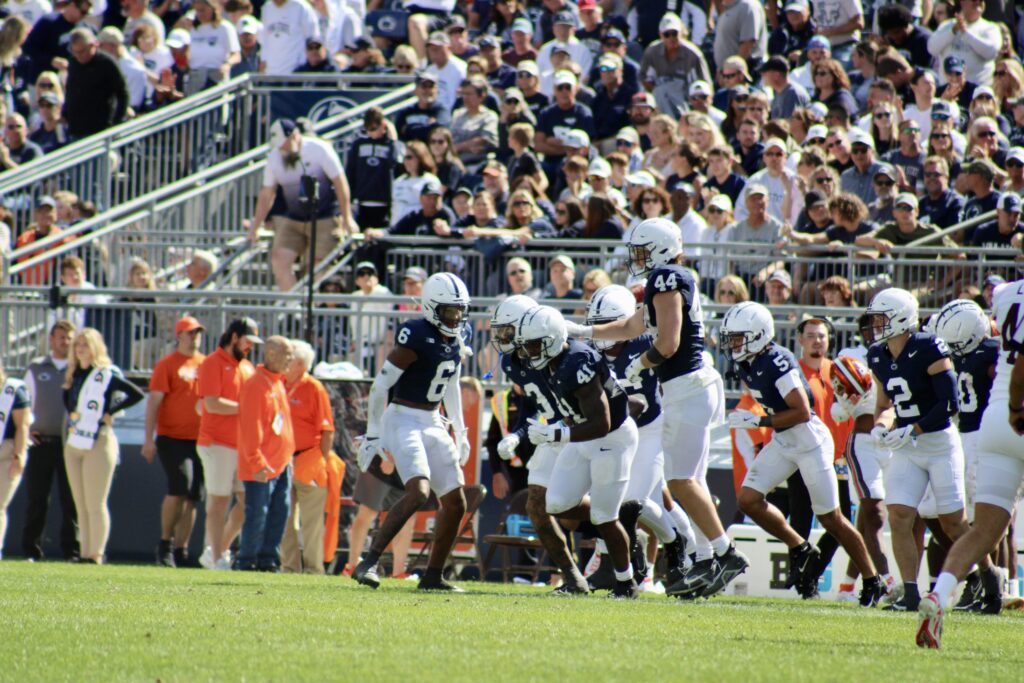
(581,364)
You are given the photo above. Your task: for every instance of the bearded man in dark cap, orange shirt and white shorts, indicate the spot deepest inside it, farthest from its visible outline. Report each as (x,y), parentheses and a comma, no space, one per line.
(221,378)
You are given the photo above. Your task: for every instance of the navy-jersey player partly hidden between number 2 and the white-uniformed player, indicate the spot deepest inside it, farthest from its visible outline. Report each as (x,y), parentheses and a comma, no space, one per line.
(967,330)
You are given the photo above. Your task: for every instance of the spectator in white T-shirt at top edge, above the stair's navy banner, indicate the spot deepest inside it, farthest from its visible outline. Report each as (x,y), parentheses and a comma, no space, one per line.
(287,27)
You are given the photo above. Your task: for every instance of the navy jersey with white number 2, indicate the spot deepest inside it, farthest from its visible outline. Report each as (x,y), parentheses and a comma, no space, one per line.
(906,380)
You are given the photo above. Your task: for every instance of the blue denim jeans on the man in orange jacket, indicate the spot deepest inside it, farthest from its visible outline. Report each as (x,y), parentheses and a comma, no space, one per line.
(268,506)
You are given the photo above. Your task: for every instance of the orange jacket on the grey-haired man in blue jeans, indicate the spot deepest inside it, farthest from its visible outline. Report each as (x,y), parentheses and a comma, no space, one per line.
(266,438)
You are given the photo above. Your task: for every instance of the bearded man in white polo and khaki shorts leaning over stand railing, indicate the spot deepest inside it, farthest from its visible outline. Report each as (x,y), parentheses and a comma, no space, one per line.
(292,159)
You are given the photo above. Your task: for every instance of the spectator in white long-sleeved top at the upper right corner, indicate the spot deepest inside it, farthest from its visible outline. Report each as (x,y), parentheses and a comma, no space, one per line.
(970,37)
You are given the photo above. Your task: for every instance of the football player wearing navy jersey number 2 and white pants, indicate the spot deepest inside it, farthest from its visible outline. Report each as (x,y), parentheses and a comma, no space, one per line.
(914,418)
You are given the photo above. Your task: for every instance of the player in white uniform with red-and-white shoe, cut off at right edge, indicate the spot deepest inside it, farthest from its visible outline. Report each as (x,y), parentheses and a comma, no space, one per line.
(1001,464)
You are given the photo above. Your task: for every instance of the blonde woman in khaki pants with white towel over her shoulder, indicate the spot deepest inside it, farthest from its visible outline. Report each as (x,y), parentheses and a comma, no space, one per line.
(95,392)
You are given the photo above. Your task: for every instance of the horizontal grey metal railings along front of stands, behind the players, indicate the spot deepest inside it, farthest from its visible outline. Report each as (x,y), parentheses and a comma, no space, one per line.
(139,324)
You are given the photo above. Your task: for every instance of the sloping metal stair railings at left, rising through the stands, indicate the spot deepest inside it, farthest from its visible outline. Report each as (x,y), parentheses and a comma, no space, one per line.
(165,220)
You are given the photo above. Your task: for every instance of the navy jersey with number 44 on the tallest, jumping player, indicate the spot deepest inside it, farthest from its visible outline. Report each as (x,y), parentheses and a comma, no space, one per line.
(689,357)
